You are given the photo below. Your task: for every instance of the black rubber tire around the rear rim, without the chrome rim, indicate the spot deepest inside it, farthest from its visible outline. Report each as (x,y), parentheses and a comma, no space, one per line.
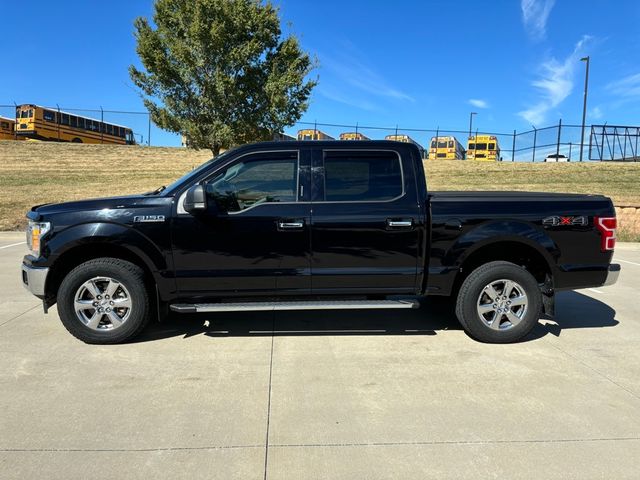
(504,331)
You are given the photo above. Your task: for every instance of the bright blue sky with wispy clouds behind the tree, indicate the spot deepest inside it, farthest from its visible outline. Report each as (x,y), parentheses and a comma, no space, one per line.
(416,64)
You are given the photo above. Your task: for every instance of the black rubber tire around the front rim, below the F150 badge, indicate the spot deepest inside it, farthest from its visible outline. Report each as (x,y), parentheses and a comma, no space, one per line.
(127,274)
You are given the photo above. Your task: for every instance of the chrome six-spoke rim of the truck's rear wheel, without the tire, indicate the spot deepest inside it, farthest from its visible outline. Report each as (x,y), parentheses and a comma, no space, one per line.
(502,304)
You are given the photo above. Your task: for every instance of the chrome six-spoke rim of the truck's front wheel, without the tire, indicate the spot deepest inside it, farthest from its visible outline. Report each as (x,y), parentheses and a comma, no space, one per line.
(102,303)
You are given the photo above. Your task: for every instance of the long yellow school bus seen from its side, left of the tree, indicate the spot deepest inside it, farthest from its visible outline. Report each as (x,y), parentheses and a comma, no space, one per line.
(41,123)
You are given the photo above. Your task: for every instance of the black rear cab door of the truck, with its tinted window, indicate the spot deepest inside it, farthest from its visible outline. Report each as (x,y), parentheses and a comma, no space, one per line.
(365,223)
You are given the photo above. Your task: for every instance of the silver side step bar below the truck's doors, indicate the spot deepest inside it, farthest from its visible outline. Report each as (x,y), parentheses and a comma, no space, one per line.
(293,305)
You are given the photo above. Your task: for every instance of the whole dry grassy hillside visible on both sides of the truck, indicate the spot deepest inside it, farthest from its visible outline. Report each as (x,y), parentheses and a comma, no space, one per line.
(39,172)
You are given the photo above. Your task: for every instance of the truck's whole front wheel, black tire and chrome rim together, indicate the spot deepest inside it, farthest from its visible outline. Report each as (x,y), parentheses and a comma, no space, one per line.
(104,301)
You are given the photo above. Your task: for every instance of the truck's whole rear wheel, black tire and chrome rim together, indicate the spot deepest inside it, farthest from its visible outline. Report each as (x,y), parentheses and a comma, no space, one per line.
(499,302)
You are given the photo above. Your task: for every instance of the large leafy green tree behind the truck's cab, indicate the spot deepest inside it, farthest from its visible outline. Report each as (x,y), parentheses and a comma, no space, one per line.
(220,72)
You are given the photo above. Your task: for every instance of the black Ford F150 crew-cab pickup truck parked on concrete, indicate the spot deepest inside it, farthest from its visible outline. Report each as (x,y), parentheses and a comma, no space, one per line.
(315,225)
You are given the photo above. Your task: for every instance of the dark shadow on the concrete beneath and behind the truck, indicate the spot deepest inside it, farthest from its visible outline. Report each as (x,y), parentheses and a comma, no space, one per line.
(573,310)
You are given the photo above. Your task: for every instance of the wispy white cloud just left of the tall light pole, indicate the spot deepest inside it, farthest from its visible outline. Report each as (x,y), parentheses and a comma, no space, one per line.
(555,84)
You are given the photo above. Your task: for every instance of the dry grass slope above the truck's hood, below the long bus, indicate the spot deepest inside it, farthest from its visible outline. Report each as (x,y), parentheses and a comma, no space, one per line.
(36,172)
